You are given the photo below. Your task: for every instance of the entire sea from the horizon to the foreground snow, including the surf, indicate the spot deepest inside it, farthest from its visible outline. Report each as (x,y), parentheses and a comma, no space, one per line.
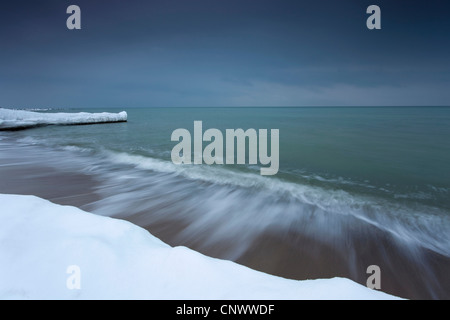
(356,187)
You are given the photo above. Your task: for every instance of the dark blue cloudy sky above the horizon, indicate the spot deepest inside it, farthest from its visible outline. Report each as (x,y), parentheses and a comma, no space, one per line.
(183,53)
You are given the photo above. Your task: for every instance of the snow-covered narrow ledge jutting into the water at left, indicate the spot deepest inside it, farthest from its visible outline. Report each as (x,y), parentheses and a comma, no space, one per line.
(18,119)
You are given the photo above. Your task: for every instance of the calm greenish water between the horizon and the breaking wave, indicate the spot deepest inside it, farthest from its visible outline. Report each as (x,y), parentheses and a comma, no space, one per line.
(399,153)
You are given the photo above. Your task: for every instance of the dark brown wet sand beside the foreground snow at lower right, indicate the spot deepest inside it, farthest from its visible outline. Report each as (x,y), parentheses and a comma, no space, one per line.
(300,257)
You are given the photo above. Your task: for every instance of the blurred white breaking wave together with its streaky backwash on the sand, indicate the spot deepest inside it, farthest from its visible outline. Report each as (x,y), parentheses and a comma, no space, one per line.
(228,213)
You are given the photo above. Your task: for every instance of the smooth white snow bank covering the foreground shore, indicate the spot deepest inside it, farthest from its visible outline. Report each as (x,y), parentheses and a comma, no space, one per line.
(118,260)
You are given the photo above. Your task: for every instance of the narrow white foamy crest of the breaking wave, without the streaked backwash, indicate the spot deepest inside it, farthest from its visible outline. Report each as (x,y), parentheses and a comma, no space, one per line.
(384,215)
